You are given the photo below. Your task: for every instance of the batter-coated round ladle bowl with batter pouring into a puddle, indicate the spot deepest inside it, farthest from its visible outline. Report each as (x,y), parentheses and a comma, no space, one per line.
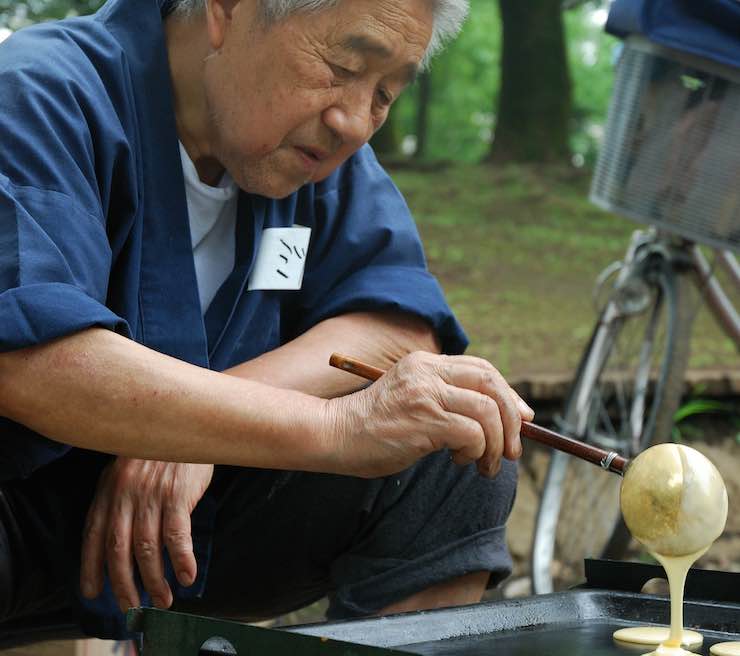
(674,501)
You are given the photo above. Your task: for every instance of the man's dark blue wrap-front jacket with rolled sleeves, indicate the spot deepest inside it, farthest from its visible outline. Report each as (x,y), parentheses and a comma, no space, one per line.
(94,228)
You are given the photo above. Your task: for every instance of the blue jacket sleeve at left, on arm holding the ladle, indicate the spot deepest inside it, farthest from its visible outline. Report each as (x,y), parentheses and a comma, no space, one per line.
(55,255)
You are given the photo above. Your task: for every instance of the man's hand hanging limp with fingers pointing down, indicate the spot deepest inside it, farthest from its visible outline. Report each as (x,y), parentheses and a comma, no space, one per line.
(140,507)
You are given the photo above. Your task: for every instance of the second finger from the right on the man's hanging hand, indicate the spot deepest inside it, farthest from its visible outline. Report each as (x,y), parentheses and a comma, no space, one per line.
(148,552)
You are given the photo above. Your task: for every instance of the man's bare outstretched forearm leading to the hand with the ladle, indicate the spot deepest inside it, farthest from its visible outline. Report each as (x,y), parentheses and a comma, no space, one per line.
(98,390)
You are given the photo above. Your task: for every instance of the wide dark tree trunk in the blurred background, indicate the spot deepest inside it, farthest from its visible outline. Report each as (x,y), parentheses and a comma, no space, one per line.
(534,100)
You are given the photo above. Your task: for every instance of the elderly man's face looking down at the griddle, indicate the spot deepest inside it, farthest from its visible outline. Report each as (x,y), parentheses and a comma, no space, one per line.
(290,102)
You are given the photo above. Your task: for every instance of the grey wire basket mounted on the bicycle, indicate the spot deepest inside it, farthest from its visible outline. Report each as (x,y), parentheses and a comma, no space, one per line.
(671,152)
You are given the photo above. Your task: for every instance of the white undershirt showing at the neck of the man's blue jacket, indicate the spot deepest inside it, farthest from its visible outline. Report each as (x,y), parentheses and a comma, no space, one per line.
(212,212)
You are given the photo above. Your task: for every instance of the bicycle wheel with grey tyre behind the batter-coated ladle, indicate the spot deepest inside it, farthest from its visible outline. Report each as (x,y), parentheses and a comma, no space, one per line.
(623,398)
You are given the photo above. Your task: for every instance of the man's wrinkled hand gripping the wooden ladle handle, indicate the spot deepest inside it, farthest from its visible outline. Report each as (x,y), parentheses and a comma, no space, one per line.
(425,403)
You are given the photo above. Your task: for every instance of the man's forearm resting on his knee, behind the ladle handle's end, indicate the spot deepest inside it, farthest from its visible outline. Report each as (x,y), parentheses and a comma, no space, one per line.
(379,338)
